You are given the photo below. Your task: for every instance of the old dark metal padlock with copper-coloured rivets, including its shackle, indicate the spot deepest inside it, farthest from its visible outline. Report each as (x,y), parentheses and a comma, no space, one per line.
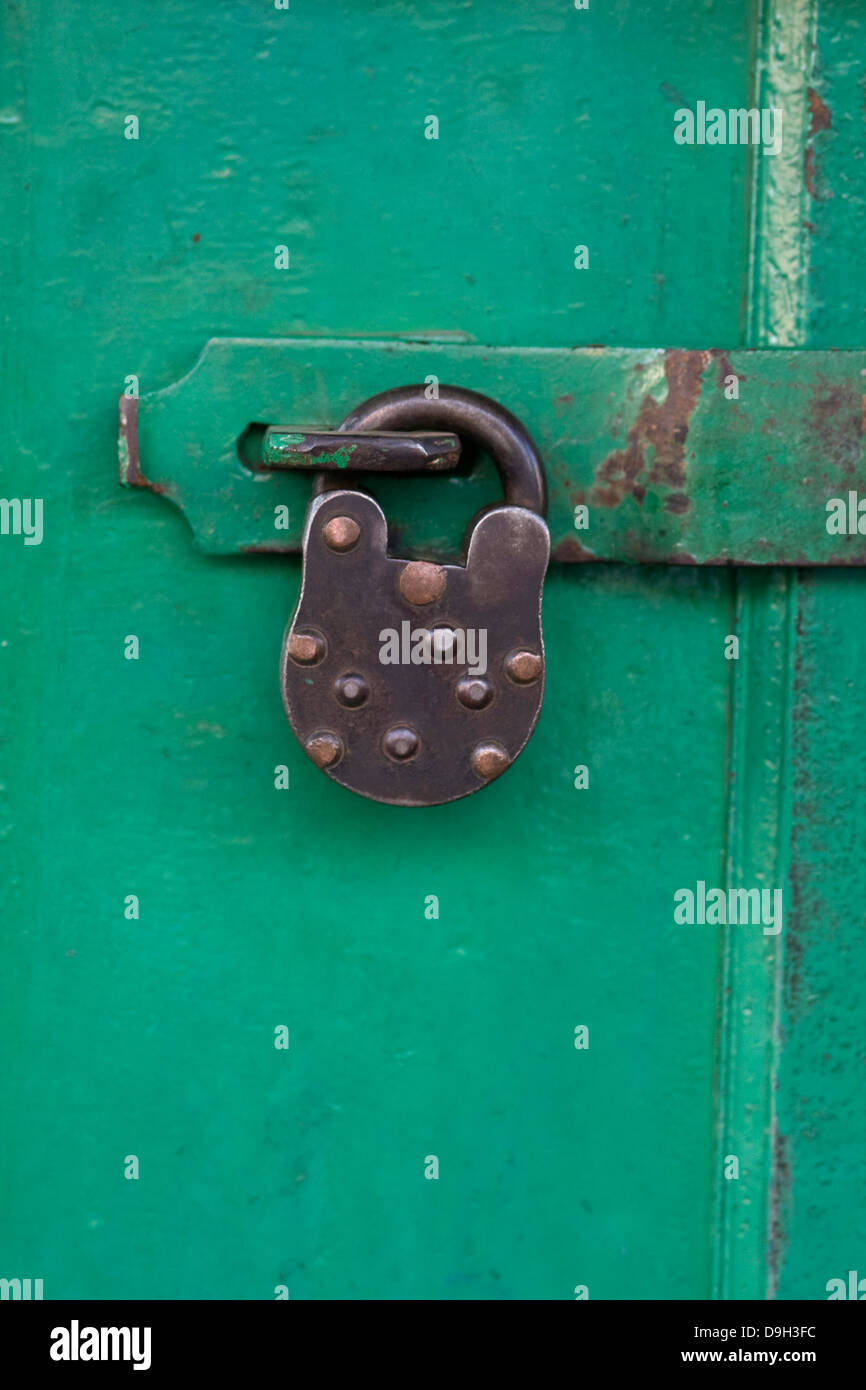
(408,682)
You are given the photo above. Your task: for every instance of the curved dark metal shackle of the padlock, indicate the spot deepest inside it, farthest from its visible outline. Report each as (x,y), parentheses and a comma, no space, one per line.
(472,416)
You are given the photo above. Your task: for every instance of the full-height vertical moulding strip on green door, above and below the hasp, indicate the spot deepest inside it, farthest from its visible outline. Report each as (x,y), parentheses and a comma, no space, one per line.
(749,1229)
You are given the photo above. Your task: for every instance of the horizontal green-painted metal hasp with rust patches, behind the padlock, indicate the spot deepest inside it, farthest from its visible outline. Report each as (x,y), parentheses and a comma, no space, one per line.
(653,455)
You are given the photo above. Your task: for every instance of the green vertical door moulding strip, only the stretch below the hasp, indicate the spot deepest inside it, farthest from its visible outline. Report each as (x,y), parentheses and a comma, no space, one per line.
(757,821)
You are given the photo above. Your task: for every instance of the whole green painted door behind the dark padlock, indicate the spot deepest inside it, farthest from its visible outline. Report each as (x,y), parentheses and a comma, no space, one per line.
(621,1104)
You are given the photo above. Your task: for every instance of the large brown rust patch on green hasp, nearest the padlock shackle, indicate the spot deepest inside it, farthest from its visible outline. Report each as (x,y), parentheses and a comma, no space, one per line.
(661,426)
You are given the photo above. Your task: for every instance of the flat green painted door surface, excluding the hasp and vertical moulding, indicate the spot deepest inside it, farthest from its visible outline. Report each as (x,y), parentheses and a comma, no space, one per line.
(156,778)
